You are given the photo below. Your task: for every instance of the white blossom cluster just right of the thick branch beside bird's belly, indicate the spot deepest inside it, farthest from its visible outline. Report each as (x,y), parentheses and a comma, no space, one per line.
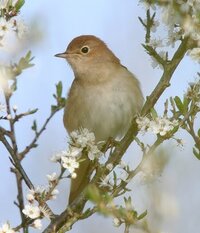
(159,125)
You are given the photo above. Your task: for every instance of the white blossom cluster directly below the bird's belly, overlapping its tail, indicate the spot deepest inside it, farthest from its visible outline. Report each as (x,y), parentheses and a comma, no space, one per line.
(81,141)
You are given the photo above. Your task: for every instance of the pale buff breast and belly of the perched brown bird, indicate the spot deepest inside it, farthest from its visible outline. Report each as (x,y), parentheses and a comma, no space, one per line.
(106,113)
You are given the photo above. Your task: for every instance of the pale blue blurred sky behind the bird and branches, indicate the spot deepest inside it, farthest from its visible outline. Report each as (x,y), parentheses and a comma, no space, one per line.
(116,22)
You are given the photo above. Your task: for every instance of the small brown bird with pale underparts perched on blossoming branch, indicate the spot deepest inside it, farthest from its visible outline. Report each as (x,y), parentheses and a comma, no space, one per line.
(104,97)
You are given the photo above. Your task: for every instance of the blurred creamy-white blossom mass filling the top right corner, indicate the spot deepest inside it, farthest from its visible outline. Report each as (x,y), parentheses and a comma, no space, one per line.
(181,18)
